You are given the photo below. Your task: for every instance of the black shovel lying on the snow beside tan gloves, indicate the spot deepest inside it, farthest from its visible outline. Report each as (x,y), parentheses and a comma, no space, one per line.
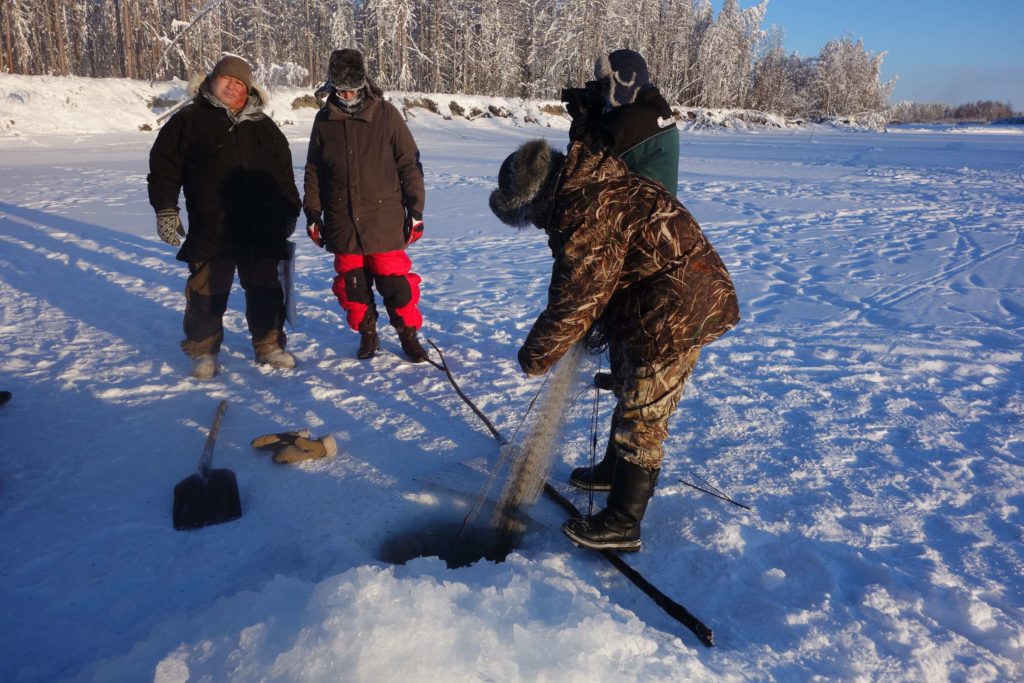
(209,497)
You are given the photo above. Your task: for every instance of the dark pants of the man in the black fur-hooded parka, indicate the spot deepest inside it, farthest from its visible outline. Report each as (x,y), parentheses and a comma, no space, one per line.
(206,301)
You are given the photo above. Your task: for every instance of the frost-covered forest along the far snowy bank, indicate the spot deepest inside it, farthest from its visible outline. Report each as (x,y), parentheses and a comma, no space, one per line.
(515,49)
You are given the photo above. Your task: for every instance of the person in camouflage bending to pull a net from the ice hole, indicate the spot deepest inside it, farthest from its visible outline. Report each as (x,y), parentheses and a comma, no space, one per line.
(634,274)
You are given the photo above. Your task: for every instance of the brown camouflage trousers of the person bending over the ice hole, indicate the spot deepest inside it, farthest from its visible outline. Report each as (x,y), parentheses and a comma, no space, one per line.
(648,398)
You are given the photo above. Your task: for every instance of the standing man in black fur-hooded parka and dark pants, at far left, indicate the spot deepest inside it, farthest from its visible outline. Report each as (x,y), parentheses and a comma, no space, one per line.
(235,166)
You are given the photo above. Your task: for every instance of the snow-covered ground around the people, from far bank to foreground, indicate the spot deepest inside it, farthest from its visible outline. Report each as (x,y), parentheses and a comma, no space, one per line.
(869,408)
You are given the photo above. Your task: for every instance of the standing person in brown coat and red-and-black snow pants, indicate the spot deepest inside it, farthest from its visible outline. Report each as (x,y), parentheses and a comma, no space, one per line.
(364,202)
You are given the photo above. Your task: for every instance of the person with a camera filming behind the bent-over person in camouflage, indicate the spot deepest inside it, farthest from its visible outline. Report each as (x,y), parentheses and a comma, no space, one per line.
(621,110)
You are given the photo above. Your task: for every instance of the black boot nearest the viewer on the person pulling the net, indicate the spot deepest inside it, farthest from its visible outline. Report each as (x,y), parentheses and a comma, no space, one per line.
(618,527)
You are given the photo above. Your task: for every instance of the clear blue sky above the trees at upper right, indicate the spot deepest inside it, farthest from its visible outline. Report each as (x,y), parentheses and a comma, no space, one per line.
(943,51)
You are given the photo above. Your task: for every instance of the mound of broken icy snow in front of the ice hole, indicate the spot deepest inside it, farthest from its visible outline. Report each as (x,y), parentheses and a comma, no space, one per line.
(413,622)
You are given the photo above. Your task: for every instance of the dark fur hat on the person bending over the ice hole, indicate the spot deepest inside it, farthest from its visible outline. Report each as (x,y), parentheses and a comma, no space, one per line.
(523,179)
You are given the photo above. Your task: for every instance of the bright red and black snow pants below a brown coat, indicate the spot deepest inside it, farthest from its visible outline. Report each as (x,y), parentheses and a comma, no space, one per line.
(392,274)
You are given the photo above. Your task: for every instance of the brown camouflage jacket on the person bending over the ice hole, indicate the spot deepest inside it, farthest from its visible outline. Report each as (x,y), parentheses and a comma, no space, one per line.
(632,269)
